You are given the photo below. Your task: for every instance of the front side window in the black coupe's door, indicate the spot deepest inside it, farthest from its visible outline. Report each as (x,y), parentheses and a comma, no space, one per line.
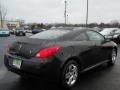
(94,36)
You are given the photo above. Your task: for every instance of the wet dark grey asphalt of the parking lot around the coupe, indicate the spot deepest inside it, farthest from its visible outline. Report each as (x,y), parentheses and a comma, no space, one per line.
(100,78)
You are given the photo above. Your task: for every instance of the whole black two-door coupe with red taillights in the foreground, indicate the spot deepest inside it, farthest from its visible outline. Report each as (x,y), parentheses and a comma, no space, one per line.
(60,54)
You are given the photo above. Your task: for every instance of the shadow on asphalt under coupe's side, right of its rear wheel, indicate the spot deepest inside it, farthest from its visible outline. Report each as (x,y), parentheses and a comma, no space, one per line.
(93,78)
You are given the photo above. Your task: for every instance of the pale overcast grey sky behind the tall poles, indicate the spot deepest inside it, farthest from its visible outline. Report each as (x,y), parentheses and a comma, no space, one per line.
(52,11)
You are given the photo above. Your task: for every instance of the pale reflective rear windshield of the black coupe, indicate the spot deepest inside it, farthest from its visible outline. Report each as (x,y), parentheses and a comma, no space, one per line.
(50,34)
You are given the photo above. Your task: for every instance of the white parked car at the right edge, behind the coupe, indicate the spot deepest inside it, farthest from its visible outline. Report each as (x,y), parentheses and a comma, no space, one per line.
(112,34)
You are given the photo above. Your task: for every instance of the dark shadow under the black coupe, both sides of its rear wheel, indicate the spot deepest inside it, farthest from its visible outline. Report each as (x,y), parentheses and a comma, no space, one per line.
(85,80)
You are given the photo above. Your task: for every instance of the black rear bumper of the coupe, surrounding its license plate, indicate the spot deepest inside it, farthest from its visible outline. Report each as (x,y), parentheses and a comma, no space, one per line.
(34,67)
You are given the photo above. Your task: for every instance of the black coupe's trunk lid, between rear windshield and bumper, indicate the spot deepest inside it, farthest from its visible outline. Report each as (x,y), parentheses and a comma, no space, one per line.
(27,48)
